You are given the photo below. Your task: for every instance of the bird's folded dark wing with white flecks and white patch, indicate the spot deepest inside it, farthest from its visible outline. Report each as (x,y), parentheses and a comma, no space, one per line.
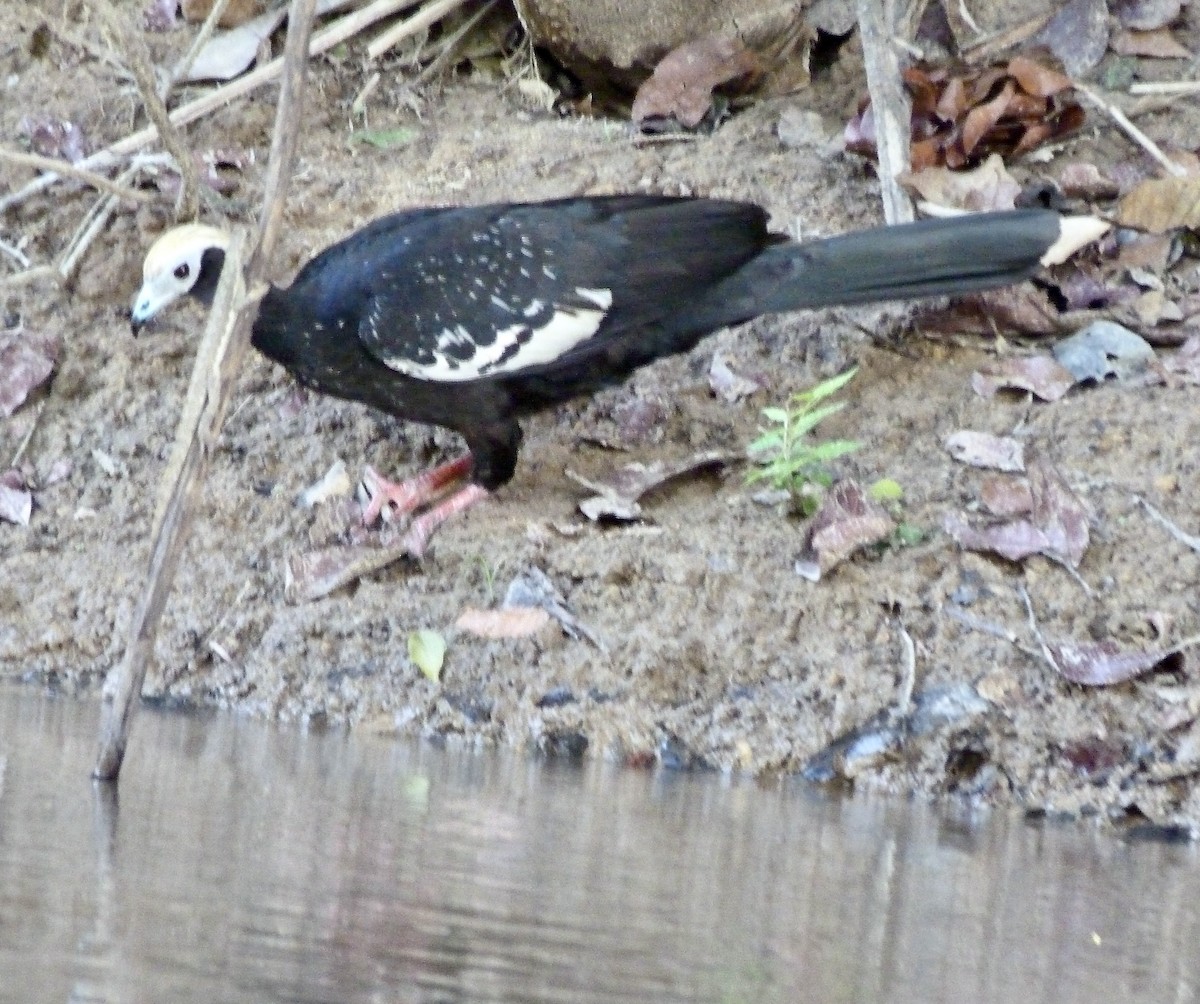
(490,293)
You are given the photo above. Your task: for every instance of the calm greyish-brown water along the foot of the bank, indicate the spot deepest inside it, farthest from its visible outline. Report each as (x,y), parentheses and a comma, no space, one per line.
(245,863)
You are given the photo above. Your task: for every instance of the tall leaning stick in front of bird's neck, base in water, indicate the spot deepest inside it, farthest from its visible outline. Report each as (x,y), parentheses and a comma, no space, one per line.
(225,345)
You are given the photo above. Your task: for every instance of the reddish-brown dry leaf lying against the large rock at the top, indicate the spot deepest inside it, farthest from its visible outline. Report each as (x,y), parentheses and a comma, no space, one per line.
(682,86)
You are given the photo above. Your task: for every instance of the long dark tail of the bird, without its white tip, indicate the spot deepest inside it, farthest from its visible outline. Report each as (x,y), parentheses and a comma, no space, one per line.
(931,258)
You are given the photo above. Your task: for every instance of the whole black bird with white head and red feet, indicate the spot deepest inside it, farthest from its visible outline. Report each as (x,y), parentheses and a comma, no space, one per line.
(471,318)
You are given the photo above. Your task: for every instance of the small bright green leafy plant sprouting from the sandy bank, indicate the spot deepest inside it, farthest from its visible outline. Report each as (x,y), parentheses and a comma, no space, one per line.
(787,456)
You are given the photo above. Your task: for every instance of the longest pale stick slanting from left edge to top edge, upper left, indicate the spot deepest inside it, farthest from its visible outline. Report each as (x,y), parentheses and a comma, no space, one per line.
(338,33)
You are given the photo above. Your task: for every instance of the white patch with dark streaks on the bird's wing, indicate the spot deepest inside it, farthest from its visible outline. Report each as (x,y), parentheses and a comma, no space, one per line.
(514,348)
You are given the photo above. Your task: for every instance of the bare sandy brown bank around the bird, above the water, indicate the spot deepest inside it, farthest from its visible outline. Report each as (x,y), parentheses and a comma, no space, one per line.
(715,651)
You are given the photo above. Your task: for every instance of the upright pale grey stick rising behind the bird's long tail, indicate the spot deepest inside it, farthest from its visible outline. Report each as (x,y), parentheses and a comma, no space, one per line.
(890,105)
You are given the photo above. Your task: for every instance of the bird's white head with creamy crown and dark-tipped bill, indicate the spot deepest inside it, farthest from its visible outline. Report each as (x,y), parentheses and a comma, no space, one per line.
(184,261)
